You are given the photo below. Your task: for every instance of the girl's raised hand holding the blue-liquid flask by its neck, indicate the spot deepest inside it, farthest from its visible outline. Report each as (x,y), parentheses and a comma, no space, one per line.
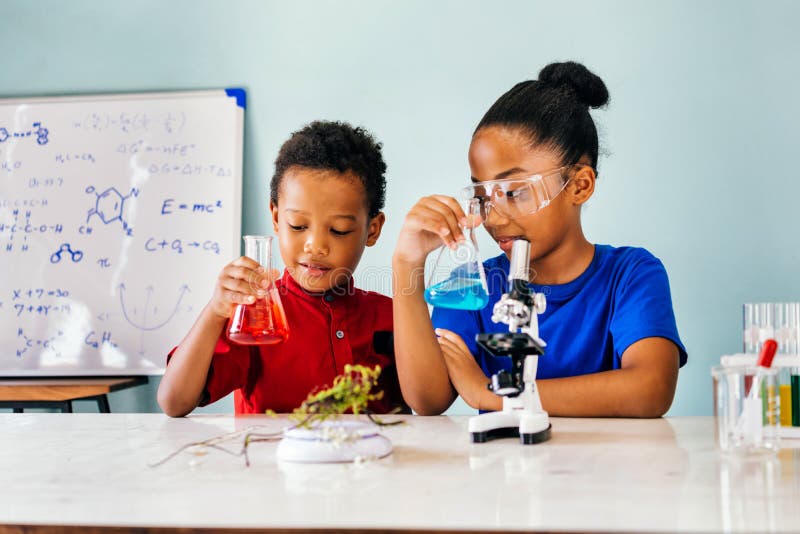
(433,221)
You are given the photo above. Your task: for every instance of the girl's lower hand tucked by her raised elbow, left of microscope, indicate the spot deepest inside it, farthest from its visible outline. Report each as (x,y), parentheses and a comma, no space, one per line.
(465,373)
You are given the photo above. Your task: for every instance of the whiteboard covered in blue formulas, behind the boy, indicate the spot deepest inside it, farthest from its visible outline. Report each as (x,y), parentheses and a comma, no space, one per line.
(117,213)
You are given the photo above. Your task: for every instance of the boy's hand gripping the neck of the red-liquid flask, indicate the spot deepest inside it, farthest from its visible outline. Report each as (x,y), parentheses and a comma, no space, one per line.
(240,282)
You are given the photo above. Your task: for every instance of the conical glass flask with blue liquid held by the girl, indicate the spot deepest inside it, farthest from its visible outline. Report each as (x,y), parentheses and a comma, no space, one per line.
(457,279)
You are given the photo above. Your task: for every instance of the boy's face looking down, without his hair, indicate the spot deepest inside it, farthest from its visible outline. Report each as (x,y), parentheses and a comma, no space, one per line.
(323,225)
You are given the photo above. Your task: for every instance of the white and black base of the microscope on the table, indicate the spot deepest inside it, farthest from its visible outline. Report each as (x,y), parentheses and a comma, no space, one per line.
(530,428)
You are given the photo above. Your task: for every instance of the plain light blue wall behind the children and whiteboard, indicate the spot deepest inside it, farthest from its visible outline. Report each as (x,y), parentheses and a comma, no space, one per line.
(700,139)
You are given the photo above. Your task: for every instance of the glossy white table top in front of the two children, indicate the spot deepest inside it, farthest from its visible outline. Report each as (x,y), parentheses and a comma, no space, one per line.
(593,475)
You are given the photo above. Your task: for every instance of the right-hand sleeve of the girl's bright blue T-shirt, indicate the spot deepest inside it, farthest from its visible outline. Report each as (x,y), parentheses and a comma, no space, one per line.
(643,307)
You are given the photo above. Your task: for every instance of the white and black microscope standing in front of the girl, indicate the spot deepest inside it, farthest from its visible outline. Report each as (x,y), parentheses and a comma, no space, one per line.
(522,414)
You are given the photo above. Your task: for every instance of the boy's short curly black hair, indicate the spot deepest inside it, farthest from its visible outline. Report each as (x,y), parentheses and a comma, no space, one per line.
(336,146)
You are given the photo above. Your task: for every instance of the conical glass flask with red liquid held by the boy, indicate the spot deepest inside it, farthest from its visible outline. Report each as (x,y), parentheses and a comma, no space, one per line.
(262,322)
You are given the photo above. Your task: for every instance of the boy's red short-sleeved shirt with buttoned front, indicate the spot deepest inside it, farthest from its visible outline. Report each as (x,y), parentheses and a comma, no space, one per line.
(326,332)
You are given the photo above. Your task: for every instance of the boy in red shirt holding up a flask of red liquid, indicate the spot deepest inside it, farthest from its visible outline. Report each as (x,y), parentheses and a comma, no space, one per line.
(326,198)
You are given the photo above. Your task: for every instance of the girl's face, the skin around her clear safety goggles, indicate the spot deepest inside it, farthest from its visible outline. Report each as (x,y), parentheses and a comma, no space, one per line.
(498,153)
